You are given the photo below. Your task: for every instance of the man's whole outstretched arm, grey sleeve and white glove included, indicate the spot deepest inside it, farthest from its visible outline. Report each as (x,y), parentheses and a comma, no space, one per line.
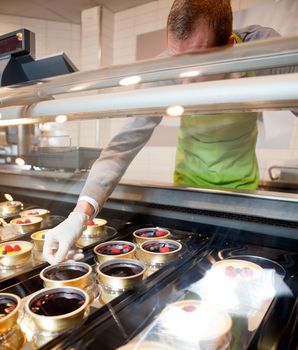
(103,178)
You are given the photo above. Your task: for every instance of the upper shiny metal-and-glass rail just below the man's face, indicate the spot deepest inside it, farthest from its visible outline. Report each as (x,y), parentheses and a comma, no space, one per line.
(243,57)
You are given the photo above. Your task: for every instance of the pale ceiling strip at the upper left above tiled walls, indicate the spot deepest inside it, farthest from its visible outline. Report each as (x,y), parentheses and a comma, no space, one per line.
(62,10)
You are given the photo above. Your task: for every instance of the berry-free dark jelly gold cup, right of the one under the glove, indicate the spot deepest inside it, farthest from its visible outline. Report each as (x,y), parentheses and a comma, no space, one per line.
(120,274)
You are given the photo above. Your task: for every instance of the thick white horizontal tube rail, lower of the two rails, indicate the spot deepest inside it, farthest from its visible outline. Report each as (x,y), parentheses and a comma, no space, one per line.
(233,95)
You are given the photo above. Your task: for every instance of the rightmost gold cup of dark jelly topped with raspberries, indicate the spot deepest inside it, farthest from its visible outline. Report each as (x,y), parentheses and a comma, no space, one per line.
(159,252)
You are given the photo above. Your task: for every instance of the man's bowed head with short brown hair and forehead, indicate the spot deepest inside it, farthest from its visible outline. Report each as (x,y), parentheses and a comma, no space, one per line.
(199,24)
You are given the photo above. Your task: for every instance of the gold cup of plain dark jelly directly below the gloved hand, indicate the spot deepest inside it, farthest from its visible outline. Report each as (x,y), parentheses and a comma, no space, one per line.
(74,274)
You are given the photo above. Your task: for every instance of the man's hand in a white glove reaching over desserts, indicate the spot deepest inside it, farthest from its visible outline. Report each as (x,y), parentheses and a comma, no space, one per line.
(60,240)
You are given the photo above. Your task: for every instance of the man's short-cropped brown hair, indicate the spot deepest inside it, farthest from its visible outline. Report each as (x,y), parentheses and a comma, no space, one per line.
(185,15)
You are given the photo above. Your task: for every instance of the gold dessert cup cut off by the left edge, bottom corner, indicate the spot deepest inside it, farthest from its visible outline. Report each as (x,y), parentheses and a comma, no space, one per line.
(9,309)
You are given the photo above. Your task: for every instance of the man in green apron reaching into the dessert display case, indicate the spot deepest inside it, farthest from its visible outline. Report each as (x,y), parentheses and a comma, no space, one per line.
(212,151)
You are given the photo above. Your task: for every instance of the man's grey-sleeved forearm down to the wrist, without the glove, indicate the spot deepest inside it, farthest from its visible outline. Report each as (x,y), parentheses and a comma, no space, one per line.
(108,169)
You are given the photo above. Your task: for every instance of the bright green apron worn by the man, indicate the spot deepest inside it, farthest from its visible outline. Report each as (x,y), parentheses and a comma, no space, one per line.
(217,151)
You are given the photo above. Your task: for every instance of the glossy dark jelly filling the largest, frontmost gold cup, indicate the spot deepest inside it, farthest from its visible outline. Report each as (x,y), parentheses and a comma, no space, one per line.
(59,303)
